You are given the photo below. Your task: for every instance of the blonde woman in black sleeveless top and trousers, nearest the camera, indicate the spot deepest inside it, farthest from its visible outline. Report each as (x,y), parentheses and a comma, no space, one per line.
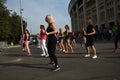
(52,41)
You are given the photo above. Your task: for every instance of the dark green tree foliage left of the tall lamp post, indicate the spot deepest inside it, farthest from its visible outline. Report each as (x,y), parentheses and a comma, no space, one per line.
(10,24)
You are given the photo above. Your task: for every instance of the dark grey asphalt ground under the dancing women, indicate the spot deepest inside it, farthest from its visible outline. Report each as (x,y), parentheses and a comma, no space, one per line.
(16,65)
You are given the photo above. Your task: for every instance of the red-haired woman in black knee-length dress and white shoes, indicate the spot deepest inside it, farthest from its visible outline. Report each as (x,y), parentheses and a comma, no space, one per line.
(89,33)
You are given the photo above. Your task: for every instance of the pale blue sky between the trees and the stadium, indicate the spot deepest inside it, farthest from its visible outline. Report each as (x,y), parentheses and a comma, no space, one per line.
(34,12)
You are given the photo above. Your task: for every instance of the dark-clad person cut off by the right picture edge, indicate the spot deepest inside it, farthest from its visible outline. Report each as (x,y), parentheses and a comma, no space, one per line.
(117,36)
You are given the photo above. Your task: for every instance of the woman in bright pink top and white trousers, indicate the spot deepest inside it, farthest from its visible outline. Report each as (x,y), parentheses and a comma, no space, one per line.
(43,38)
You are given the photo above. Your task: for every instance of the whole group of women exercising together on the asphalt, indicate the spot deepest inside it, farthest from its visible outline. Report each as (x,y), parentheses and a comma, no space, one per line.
(64,40)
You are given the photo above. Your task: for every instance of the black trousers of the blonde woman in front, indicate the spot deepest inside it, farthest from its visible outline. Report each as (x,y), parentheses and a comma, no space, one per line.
(51,49)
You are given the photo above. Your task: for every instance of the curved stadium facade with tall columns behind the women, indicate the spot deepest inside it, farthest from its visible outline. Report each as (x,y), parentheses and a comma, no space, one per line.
(102,12)
